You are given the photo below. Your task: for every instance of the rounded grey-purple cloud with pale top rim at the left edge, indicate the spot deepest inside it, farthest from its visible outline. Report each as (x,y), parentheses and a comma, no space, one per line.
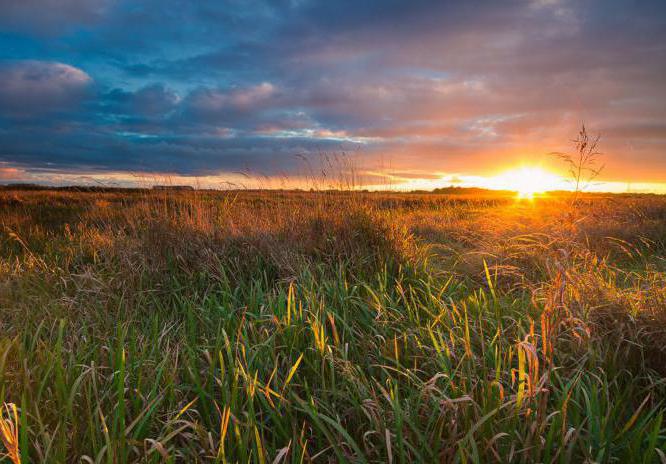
(38,87)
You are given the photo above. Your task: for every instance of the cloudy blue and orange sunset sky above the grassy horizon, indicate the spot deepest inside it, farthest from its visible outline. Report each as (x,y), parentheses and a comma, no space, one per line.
(415,94)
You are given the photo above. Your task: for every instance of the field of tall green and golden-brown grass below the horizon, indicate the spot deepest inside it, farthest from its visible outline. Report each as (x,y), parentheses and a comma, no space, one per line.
(332,327)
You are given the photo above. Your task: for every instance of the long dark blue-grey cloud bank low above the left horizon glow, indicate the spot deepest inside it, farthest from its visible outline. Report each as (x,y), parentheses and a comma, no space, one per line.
(136,152)
